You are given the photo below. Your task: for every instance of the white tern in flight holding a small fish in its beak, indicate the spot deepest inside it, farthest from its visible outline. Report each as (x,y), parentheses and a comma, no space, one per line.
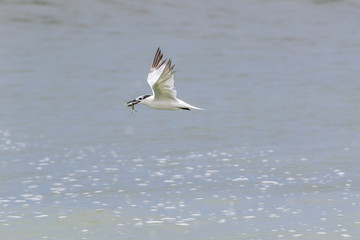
(161,81)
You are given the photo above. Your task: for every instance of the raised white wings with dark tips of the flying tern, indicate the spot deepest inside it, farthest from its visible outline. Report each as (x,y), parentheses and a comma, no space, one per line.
(161,77)
